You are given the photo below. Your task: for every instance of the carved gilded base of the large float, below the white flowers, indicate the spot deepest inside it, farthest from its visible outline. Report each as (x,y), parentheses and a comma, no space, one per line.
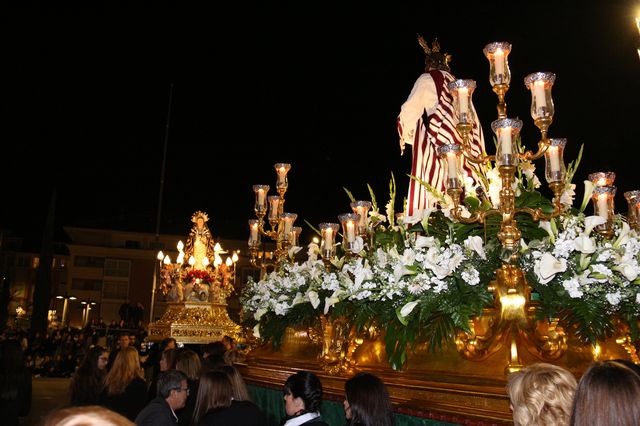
(443,385)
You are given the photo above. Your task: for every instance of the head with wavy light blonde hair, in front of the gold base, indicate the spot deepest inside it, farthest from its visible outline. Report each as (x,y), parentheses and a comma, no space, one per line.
(541,394)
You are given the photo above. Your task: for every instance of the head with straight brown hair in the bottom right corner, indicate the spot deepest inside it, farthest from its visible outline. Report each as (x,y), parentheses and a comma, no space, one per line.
(607,394)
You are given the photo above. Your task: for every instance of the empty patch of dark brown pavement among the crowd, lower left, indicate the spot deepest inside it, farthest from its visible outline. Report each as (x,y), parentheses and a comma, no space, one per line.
(48,393)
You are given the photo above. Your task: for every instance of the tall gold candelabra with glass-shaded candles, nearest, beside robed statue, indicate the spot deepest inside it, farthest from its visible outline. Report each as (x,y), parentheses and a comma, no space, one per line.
(511,321)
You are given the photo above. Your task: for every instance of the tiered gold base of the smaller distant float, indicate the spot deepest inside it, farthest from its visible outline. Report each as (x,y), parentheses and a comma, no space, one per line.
(194,322)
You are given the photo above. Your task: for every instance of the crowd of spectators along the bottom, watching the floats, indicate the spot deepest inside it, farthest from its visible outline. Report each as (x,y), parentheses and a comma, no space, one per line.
(170,384)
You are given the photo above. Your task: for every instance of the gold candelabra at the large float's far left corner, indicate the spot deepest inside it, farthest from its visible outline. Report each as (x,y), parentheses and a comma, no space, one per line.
(281,230)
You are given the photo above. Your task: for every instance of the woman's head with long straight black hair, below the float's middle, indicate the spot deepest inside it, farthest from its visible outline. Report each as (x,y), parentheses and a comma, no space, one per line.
(368,400)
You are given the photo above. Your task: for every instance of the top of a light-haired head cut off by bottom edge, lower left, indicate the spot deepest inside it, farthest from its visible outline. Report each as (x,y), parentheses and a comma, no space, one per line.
(88,415)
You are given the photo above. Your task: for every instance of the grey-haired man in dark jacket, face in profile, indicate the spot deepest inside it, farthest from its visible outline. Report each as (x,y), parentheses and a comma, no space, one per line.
(172,395)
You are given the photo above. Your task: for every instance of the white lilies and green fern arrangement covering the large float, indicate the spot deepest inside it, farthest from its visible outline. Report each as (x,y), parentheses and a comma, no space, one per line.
(424,278)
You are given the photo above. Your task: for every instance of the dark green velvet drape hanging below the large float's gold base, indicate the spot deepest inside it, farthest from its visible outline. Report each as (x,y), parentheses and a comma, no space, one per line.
(271,403)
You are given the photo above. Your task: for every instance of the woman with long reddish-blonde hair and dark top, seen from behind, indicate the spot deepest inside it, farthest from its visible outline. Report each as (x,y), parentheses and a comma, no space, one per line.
(125,390)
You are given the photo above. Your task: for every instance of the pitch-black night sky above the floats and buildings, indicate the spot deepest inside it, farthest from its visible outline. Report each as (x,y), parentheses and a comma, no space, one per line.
(315,84)
